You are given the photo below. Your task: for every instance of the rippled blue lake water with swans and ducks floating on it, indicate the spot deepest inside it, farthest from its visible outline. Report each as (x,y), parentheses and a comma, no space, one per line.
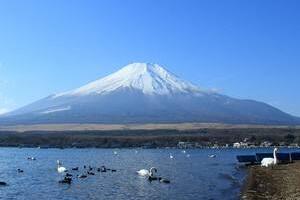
(193,174)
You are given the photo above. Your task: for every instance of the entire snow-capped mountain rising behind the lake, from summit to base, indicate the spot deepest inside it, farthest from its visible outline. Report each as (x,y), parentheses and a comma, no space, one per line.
(145,93)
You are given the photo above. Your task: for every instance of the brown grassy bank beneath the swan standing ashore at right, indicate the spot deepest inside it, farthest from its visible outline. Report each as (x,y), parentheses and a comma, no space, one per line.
(279,182)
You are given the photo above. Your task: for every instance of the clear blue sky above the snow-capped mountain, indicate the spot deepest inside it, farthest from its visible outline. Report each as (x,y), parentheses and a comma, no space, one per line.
(246,49)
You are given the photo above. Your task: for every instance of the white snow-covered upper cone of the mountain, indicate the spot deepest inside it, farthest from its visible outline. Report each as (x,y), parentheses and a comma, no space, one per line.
(146,77)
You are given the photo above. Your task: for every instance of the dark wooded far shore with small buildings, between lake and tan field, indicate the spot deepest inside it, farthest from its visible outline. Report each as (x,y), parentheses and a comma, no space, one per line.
(158,138)
